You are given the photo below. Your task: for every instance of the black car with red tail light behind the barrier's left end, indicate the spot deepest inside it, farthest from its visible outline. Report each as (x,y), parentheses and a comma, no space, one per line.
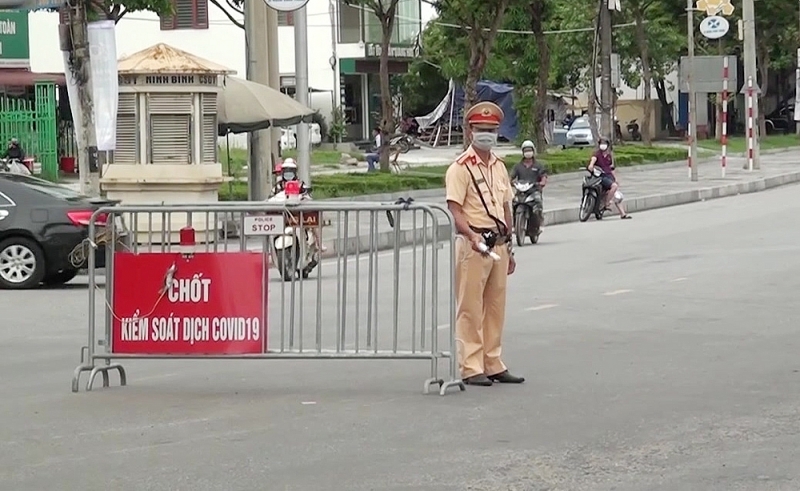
(43,227)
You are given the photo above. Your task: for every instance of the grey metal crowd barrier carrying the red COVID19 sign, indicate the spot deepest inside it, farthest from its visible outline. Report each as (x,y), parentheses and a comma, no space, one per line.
(184,289)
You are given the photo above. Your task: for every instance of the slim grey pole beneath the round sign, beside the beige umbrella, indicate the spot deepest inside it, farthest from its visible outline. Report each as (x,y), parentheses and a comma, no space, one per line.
(301,91)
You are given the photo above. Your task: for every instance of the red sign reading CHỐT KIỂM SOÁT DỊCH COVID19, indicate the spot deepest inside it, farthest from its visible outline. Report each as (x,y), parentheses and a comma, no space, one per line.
(206,303)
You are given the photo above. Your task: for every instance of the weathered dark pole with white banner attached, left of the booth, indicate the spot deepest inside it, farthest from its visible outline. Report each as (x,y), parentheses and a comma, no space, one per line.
(80,64)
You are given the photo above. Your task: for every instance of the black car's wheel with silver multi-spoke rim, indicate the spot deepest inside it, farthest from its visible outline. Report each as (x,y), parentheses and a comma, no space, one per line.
(21,264)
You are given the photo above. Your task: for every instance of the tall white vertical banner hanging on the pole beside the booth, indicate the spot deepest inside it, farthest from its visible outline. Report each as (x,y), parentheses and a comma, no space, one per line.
(105,85)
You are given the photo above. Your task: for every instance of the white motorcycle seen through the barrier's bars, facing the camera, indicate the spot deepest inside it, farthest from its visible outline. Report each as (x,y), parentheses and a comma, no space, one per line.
(295,252)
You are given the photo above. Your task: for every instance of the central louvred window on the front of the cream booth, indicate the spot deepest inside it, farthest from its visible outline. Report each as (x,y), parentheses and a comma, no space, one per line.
(170,128)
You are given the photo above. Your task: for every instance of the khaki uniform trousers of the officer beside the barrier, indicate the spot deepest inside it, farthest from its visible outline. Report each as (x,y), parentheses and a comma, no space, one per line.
(480,309)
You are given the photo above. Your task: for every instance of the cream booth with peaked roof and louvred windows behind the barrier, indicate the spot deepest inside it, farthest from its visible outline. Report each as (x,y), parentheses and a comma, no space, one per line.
(166,145)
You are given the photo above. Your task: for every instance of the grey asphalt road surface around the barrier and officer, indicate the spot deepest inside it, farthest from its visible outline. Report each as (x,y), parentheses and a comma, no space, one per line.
(661,353)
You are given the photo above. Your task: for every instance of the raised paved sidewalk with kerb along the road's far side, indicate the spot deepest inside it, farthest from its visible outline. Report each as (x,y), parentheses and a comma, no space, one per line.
(645,187)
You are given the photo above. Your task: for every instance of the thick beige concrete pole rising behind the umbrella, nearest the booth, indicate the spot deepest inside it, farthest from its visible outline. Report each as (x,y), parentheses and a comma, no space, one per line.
(259,165)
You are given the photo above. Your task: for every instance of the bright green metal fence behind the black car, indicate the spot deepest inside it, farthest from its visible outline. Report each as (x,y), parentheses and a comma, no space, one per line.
(33,123)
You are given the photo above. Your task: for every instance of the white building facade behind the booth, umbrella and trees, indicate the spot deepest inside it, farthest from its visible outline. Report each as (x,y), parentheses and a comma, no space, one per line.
(343,47)
